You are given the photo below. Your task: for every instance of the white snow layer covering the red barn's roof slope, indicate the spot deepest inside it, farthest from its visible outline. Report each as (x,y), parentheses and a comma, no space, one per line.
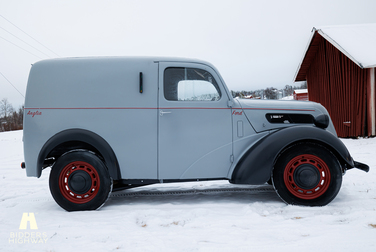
(357,42)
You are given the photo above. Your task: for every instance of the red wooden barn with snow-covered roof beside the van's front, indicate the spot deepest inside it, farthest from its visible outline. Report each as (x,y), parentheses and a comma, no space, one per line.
(339,67)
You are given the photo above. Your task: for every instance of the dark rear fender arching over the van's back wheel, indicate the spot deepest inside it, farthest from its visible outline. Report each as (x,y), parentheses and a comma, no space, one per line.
(72,139)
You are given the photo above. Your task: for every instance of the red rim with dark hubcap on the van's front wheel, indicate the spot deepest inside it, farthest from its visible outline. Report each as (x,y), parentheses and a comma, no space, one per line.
(307,176)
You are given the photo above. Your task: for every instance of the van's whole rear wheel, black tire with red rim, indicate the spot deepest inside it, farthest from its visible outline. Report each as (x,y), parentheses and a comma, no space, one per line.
(79,181)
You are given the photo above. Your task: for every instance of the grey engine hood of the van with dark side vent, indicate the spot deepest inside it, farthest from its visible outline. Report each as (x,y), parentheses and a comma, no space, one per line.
(274,114)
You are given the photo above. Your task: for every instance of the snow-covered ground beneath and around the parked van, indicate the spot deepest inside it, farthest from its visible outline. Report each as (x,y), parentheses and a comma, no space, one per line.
(222,221)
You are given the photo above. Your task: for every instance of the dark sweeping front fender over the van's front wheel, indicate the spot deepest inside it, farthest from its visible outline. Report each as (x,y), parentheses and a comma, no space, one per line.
(257,163)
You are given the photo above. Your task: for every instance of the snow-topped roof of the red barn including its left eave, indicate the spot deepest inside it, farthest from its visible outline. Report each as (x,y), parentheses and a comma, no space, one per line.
(357,42)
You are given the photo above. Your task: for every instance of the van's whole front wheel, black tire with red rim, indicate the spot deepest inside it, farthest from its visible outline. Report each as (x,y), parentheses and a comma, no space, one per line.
(307,174)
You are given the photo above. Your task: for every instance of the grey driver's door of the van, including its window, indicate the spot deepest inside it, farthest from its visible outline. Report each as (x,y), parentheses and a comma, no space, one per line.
(194,123)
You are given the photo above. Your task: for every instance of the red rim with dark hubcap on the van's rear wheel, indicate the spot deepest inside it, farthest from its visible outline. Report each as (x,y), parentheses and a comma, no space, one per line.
(79,182)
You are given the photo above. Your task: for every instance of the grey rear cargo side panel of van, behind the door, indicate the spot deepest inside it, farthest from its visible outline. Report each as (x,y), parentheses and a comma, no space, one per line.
(99,95)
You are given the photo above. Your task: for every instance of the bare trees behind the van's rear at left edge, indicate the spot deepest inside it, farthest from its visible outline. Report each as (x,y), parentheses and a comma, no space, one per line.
(10,118)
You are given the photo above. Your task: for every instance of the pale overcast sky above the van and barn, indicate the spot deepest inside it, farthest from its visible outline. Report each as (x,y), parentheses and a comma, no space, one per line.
(253,44)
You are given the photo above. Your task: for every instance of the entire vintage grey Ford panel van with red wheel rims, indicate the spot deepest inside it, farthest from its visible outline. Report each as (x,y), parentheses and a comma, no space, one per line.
(112,123)
